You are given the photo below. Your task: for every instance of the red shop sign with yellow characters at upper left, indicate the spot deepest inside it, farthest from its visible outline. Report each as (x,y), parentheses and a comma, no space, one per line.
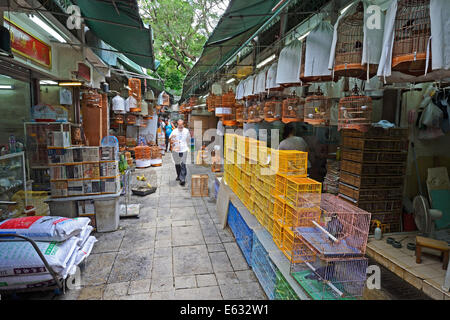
(28,46)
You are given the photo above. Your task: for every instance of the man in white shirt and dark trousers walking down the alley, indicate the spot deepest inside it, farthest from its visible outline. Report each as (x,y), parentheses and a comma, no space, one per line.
(180,138)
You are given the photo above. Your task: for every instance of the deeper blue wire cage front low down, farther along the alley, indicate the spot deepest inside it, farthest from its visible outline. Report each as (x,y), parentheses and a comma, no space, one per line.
(241,231)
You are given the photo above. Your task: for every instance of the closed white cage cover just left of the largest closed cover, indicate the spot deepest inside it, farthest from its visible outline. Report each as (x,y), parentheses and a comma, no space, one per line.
(289,62)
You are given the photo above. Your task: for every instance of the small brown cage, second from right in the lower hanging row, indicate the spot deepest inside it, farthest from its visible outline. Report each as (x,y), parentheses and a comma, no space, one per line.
(317,109)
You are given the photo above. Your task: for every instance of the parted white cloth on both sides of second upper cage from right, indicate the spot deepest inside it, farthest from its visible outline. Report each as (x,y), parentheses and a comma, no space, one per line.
(373,36)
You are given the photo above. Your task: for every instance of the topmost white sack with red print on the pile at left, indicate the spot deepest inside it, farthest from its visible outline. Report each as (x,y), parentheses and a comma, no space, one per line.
(44,228)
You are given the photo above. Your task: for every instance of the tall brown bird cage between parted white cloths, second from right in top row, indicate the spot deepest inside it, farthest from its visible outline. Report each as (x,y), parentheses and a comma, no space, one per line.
(349,47)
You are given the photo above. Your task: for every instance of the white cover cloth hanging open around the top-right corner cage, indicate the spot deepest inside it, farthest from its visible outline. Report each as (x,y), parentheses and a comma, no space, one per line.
(439,46)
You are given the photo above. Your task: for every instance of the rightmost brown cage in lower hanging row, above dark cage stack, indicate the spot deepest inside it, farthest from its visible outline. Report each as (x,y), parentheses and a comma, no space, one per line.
(355,112)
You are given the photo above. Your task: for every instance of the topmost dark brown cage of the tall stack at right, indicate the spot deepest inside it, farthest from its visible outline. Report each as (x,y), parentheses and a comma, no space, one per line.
(374,144)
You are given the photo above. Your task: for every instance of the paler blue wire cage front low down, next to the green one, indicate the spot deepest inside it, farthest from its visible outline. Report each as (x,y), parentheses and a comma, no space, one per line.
(263,268)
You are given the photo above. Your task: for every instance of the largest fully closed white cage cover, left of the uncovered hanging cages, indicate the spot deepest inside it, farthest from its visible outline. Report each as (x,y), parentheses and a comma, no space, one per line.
(317,52)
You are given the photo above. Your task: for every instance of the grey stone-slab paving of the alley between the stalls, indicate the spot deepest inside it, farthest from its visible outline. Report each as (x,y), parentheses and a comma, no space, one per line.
(175,250)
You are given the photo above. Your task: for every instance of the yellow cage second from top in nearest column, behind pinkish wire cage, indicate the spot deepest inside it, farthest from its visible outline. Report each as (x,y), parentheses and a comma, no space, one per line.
(300,217)
